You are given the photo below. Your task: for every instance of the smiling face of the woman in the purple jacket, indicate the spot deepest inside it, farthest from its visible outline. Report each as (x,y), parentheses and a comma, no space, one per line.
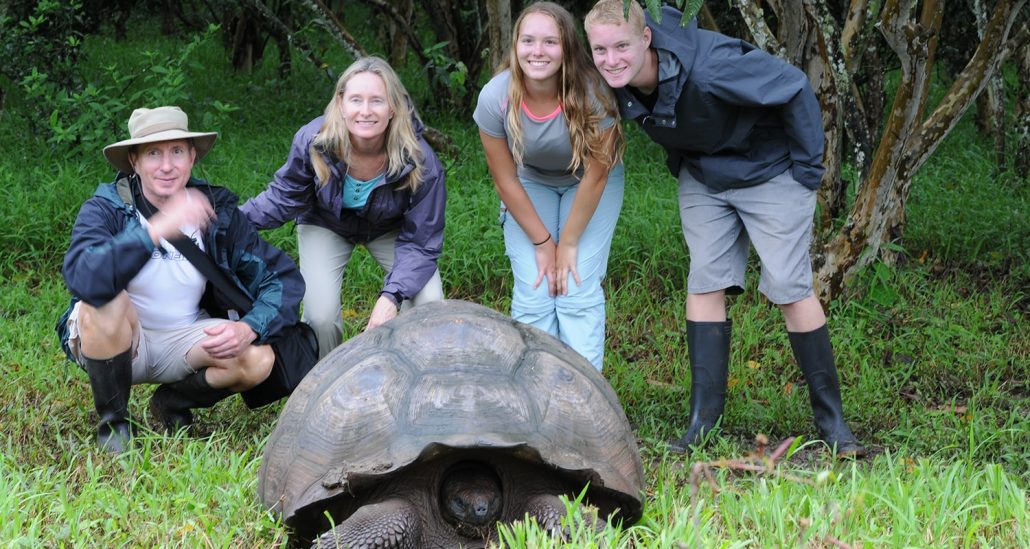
(366,109)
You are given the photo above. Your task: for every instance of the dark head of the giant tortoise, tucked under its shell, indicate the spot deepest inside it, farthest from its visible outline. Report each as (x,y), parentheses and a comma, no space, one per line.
(470,498)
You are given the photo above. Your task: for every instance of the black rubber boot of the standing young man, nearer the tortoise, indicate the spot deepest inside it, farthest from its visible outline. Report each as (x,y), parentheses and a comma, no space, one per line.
(708,345)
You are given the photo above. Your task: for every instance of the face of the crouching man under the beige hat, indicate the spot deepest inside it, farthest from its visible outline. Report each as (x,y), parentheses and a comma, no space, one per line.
(164,168)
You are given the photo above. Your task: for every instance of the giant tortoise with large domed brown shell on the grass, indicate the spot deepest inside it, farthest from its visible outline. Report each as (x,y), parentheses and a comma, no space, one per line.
(430,430)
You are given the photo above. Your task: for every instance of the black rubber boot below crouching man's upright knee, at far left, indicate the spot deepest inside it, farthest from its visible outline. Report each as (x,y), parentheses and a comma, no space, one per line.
(111,381)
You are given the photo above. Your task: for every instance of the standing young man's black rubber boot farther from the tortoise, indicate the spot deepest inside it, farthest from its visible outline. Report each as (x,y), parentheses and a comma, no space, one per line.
(815,357)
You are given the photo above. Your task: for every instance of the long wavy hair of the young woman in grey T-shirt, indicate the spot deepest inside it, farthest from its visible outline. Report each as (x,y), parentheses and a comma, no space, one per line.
(578,82)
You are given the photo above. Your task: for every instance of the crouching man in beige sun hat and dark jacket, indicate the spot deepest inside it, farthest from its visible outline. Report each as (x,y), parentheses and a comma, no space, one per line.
(140,313)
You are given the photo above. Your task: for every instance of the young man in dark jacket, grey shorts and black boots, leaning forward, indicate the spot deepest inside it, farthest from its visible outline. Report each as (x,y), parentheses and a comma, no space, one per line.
(743,133)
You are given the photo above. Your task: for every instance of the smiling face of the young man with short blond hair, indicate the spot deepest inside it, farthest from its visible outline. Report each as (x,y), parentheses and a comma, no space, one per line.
(621,55)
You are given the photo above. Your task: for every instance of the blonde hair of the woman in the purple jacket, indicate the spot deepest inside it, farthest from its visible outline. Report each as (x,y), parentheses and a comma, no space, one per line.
(402,142)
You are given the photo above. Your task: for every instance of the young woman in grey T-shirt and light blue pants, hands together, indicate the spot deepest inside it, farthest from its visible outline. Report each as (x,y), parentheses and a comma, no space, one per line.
(551,132)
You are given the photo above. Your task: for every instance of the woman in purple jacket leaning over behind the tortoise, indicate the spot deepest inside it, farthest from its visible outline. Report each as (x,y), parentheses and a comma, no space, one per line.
(361,175)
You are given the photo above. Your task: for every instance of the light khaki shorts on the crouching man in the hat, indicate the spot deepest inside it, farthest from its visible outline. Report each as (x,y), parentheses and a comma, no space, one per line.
(159,356)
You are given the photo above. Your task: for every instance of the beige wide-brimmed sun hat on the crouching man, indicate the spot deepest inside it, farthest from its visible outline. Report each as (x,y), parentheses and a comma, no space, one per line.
(152,125)
